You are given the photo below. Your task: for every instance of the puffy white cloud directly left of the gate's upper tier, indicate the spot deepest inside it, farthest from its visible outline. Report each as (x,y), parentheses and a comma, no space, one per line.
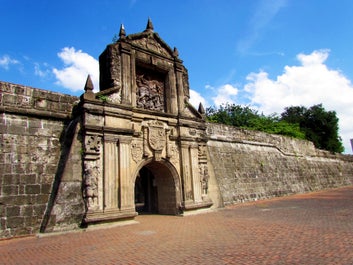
(77,66)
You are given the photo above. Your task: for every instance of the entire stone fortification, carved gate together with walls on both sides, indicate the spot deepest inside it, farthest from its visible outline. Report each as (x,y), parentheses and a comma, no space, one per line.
(138,146)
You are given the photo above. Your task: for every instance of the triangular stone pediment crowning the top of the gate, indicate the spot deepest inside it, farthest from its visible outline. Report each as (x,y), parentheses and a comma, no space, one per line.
(150,41)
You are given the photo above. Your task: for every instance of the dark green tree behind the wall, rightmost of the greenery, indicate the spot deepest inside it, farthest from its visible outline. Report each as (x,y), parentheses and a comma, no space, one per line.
(320,126)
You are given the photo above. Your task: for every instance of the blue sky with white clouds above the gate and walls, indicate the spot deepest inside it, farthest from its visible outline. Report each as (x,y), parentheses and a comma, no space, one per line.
(269,54)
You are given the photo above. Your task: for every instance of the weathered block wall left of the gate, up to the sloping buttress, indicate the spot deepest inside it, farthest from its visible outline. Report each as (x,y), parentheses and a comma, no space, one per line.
(32,132)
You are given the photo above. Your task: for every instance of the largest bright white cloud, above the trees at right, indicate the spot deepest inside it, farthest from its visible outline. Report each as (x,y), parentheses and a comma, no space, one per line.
(308,84)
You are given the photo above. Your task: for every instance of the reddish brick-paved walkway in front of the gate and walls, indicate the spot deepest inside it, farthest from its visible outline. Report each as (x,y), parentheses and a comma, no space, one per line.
(315,228)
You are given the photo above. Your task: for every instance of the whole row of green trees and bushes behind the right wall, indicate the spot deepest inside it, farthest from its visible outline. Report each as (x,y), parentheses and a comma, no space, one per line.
(314,124)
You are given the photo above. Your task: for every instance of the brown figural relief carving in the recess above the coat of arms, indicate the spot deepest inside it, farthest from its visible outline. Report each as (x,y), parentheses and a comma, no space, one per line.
(150,93)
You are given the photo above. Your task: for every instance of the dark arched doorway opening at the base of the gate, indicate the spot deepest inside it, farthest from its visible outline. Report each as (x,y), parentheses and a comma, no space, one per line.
(157,189)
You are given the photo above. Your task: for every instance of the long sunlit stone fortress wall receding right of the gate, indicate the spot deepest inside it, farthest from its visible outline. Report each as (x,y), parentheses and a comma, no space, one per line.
(251,165)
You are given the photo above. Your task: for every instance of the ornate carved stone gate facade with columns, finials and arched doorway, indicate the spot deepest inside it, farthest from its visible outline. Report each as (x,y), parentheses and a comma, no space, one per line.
(144,143)
